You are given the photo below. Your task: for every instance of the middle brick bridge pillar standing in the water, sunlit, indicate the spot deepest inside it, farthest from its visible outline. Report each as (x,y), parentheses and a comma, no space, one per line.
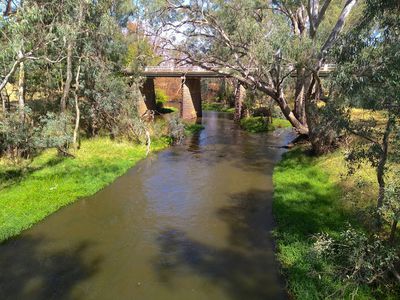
(191,98)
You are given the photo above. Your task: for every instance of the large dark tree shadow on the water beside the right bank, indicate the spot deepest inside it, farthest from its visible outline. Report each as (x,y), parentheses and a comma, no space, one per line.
(245,268)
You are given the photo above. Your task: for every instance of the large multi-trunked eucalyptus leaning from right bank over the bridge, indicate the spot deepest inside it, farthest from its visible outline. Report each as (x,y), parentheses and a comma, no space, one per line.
(263,44)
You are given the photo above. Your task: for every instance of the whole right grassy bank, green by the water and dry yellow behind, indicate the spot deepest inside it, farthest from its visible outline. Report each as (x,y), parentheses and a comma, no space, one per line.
(313,195)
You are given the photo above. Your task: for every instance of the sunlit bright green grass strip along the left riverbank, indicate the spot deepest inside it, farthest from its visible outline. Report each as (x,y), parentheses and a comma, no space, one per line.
(49,182)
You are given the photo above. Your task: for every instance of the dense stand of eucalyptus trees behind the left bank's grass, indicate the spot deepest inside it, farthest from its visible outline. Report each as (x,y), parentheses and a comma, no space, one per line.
(71,53)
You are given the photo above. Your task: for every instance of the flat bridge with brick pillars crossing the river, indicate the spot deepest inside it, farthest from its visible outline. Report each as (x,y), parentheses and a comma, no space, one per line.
(191,86)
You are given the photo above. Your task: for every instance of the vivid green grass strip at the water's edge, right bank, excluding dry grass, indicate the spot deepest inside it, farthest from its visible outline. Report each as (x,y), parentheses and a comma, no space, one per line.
(306,202)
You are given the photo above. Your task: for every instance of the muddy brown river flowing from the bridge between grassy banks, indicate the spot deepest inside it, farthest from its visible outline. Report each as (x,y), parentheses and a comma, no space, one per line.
(192,222)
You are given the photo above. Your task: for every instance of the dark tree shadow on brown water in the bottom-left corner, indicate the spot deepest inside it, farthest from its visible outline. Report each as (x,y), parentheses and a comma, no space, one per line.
(28,271)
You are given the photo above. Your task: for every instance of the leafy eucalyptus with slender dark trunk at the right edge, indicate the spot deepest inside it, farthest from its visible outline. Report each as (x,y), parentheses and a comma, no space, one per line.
(368,75)
